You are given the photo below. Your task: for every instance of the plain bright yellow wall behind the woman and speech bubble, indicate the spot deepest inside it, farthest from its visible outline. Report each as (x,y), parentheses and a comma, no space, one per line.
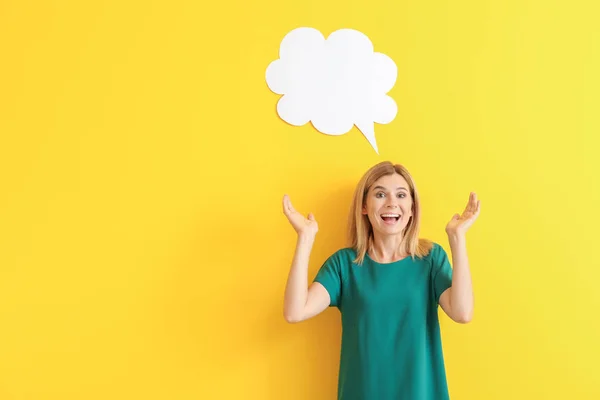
(143,252)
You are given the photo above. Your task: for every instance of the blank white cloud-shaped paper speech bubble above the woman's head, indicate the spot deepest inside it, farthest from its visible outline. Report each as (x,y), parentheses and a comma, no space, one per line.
(334,83)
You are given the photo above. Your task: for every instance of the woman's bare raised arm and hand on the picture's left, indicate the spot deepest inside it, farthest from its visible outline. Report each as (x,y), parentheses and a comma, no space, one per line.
(300,301)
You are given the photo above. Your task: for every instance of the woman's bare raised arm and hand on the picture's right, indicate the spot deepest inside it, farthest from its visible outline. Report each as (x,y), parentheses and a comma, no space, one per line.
(457,301)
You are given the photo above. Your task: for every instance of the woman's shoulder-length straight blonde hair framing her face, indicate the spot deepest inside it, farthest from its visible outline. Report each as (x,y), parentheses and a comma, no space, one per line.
(360,231)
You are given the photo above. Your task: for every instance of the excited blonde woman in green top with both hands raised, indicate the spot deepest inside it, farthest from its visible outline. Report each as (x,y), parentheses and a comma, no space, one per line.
(387,285)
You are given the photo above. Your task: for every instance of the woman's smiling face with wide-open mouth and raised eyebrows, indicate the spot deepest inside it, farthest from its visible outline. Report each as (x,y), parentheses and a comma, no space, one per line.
(388,204)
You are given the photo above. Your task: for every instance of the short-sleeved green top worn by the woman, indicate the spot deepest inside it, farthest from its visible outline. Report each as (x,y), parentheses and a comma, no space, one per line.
(391,343)
